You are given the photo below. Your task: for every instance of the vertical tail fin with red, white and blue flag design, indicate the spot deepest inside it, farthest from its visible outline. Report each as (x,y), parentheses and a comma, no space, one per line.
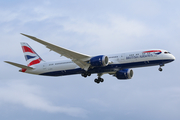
(30,55)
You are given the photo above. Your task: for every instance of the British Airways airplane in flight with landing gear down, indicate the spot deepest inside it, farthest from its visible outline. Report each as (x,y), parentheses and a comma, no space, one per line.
(118,65)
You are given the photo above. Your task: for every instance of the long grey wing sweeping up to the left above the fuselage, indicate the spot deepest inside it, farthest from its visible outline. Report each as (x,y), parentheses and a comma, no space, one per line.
(78,58)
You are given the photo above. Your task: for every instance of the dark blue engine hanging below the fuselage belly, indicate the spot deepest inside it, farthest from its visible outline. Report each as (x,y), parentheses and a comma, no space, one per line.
(124,74)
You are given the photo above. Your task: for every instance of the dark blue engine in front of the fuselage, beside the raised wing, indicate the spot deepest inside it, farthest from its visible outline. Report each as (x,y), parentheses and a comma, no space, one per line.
(99,61)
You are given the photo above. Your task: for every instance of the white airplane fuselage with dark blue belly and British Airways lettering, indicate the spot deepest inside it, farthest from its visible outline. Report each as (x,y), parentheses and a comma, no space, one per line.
(116,62)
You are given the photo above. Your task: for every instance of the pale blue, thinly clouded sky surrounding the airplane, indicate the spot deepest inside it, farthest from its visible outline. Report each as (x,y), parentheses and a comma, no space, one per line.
(91,27)
